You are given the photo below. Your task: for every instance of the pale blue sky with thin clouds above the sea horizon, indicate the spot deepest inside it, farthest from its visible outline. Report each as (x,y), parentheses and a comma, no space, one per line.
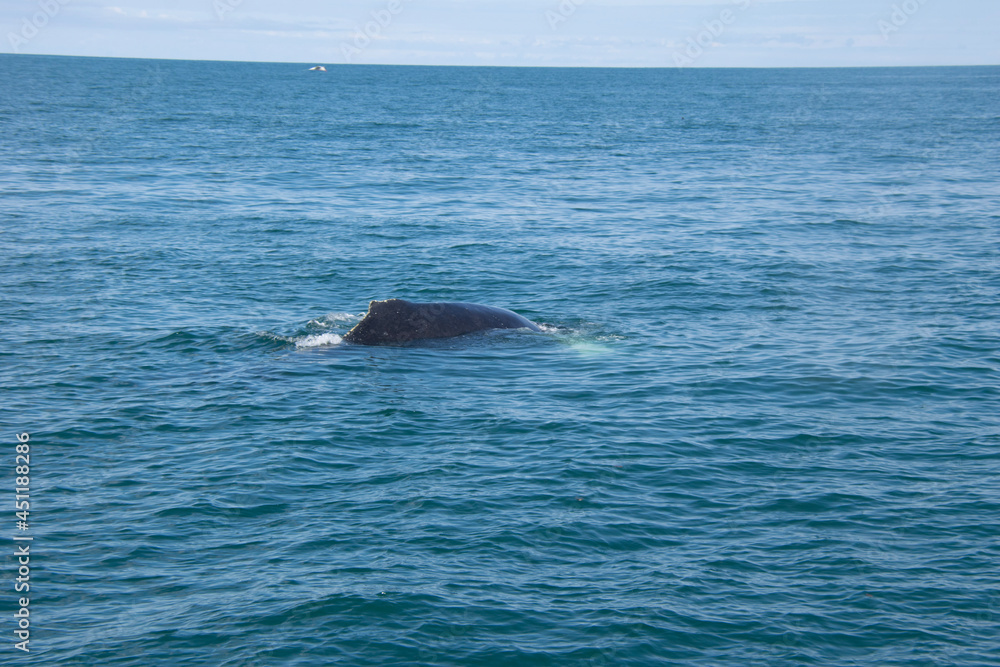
(571,33)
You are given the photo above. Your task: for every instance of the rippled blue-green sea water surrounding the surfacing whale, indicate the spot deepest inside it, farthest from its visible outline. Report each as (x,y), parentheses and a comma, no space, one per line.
(761,426)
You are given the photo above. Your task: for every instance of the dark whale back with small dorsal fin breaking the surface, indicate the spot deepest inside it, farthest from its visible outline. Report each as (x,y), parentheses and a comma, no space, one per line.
(396,321)
